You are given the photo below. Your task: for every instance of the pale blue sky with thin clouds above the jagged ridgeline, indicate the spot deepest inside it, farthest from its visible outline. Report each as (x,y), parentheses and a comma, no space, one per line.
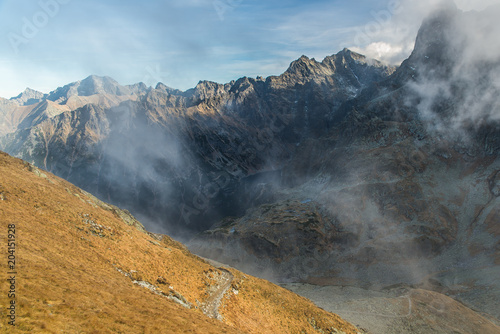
(48,43)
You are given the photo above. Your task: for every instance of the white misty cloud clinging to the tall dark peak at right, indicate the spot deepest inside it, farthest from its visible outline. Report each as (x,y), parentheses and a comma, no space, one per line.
(473,82)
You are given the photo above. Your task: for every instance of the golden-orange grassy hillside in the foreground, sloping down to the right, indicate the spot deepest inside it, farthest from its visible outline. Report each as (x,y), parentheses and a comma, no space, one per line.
(84,266)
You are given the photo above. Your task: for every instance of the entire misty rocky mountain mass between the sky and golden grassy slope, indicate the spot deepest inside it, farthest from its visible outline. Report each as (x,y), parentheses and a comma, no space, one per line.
(344,172)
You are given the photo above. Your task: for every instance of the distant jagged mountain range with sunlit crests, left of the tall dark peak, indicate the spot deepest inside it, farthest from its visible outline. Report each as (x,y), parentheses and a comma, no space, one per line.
(184,135)
